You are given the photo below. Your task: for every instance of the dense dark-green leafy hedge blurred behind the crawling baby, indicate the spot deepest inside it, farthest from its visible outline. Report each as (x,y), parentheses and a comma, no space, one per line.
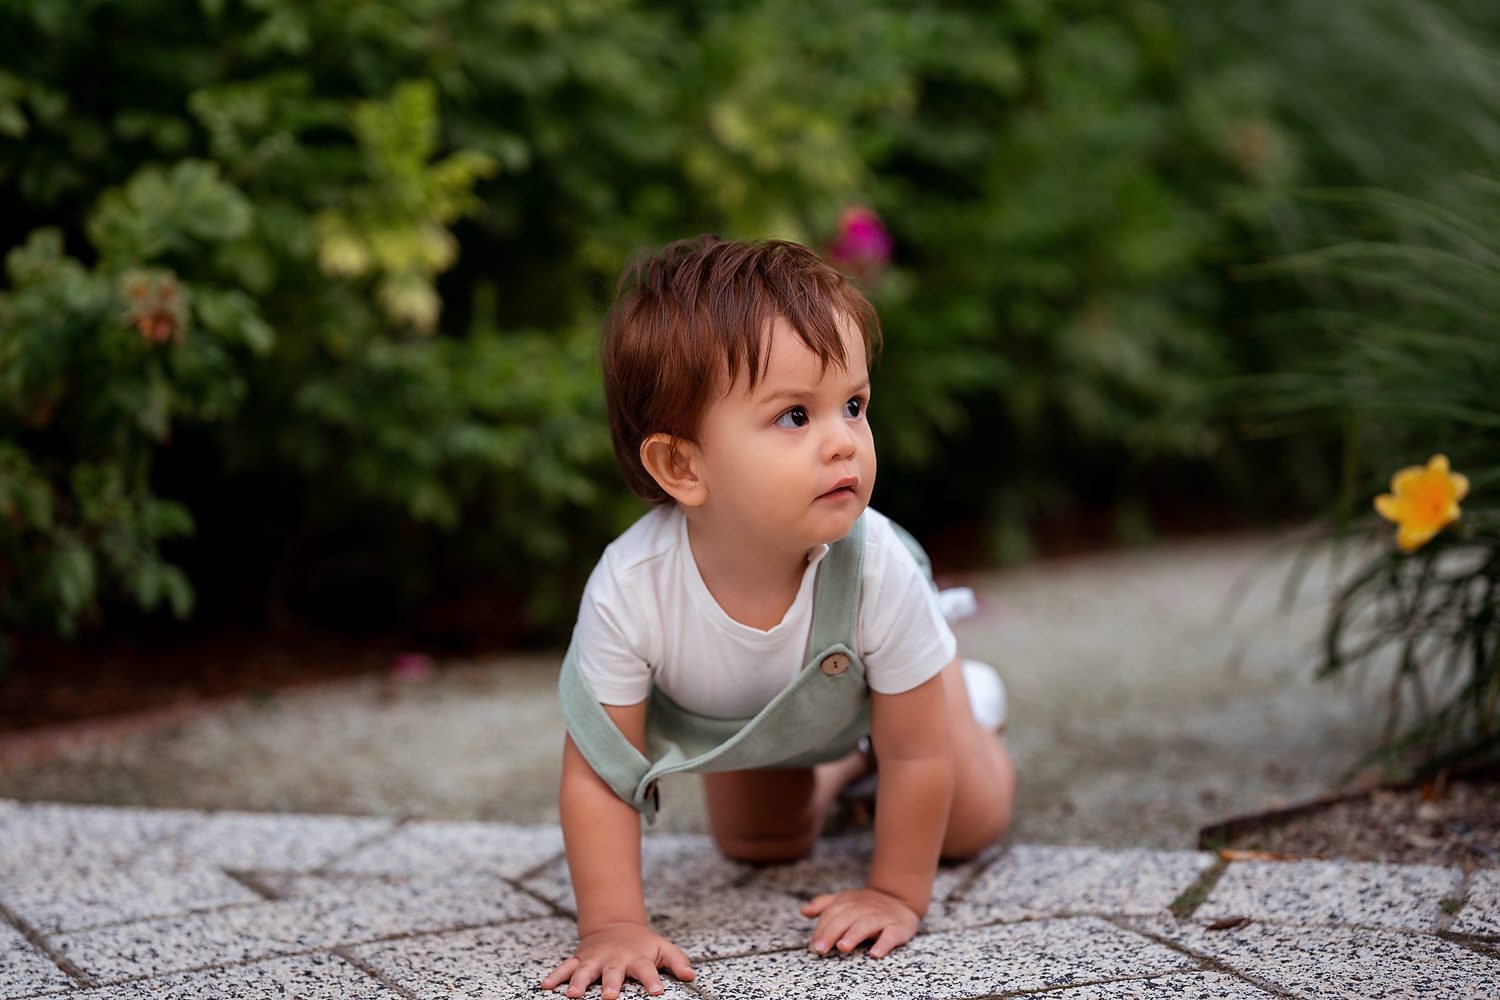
(302,301)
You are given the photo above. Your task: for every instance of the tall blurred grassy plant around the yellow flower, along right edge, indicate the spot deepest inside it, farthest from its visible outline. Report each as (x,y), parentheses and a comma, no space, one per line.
(1393,344)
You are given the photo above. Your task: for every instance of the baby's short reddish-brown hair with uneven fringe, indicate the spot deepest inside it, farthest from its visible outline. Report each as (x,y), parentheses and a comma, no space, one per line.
(700,311)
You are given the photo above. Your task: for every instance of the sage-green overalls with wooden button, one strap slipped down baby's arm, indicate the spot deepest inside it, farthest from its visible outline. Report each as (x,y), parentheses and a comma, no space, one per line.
(818,717)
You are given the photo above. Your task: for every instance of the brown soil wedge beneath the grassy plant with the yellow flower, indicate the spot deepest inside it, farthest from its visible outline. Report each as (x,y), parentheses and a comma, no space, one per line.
(1454,822)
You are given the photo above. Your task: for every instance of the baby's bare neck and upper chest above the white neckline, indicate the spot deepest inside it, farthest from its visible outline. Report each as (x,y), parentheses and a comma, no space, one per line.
(755,585)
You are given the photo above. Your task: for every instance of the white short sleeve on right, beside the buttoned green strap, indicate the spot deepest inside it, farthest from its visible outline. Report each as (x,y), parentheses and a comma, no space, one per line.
(907,639)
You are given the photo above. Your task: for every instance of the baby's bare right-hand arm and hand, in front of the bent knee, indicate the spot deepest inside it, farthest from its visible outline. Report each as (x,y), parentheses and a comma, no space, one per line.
(910,732)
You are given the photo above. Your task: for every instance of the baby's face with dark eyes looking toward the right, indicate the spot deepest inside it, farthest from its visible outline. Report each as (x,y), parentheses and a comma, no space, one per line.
(793,463)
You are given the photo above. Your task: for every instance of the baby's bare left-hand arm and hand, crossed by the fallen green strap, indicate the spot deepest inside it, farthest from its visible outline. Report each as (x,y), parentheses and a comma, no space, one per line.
(602,836)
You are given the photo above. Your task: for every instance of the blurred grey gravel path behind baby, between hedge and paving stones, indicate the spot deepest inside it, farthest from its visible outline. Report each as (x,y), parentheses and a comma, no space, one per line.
(1141,711)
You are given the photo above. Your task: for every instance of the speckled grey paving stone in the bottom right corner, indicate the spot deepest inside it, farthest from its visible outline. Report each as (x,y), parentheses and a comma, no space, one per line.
(1342,963)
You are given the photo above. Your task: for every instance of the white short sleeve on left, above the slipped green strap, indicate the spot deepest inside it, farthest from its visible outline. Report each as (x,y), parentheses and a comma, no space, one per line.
(611,641)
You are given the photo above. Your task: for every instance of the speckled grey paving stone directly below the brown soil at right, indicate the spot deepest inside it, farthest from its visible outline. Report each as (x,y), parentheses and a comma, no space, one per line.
(1334,893)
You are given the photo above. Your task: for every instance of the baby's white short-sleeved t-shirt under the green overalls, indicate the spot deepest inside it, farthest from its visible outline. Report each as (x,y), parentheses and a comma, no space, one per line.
(647,617)
